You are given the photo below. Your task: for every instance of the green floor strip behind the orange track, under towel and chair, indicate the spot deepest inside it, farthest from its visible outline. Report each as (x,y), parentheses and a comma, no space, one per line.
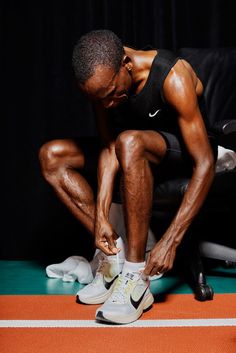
(29,278)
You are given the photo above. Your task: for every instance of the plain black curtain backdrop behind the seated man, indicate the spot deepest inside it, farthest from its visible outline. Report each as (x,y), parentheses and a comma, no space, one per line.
(40,102)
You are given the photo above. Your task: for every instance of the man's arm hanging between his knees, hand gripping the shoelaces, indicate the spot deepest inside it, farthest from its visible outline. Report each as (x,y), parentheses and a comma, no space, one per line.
(107,170)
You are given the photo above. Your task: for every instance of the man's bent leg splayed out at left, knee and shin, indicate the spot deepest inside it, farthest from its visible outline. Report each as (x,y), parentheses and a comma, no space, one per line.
(61,162)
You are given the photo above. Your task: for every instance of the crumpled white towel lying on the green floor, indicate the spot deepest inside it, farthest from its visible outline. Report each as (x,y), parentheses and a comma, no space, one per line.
(74,268)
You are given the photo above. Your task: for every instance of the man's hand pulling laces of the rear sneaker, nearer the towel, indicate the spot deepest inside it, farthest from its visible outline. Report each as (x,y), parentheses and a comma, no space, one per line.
(105,238)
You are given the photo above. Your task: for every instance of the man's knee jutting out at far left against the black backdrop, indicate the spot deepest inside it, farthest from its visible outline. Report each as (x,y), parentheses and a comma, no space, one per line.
(55,156)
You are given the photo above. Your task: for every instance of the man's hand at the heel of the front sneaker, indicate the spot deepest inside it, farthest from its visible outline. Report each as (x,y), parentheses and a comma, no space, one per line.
(160,259)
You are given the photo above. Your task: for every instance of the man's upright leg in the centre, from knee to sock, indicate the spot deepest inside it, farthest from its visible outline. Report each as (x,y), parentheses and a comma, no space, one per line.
(135,151)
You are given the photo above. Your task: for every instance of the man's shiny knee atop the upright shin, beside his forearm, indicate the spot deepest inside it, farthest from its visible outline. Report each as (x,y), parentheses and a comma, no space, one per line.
(129,146)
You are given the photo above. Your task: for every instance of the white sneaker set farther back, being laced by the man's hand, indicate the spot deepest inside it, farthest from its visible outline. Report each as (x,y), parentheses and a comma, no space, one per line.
(99,290)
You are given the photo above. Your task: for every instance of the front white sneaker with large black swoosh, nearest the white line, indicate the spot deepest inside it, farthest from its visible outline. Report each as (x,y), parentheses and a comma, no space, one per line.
(130,297)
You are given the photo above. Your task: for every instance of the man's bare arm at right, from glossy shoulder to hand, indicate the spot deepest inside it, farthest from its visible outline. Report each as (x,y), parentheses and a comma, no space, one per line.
(184,100)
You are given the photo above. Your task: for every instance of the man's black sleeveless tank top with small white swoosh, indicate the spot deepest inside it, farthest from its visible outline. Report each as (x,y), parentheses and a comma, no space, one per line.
(147,109)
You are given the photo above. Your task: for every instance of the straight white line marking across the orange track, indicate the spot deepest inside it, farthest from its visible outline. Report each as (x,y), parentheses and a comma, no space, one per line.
(94,324)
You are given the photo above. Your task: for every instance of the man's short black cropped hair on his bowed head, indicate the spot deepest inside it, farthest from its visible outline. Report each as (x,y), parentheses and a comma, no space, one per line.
(97,47)
